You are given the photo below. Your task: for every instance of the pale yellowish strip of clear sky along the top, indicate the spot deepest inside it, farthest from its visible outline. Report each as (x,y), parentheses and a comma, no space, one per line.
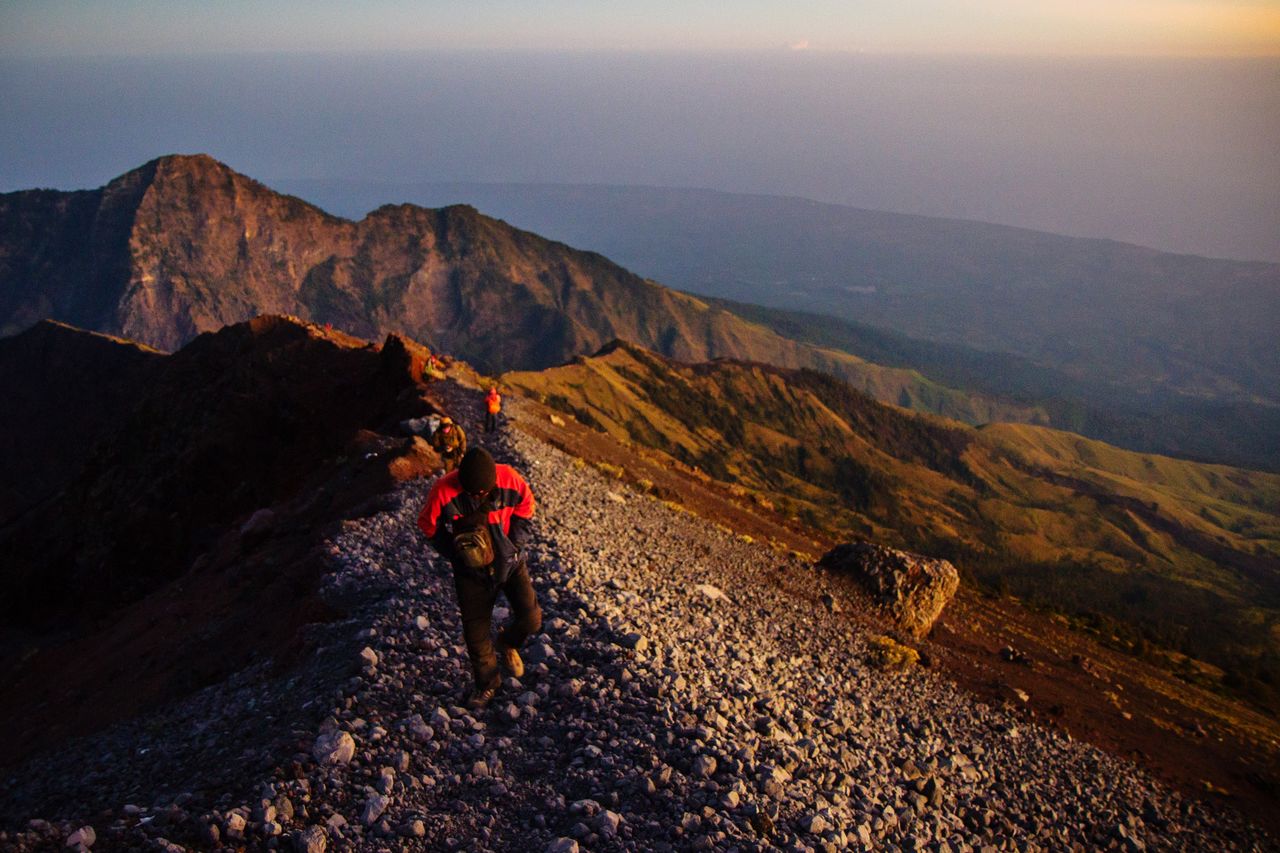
(1053,28)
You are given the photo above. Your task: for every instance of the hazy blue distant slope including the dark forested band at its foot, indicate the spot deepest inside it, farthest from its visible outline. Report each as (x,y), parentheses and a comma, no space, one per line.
(1149,350)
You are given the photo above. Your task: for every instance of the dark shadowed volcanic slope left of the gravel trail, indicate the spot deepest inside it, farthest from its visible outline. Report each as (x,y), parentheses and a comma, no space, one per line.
(138,582)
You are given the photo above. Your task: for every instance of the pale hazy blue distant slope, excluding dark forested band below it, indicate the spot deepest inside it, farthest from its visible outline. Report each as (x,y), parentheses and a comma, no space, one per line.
(1094,309)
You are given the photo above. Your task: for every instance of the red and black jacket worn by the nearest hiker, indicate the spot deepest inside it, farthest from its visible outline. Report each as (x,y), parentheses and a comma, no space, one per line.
(511,507)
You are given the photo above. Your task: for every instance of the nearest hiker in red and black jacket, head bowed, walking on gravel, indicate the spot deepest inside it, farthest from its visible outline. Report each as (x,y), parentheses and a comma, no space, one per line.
(478,517)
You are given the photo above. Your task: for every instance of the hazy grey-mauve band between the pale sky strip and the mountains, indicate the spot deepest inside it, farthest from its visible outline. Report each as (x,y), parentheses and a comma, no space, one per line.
(1176,154)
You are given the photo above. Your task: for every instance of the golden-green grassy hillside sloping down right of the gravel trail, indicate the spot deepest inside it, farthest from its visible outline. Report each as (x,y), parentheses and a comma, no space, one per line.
(1164,556)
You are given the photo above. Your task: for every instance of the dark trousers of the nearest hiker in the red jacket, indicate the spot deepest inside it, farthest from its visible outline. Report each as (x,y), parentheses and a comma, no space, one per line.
(477,600)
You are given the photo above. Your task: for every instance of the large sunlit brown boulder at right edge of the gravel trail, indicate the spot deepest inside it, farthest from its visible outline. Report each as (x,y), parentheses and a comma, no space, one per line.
(913,590)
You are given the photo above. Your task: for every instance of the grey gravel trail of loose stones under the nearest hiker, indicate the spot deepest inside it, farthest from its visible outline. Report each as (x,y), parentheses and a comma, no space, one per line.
(678,699)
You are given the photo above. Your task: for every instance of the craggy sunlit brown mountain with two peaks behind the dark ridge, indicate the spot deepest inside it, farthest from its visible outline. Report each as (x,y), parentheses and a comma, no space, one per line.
(185,245)
